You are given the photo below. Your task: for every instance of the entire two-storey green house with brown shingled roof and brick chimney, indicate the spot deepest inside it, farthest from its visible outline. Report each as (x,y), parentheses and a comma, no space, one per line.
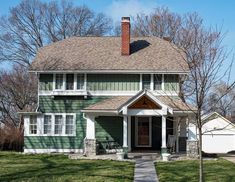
(105,94)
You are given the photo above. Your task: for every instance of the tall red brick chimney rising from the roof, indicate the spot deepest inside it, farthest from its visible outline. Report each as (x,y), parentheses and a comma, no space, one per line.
(126,36)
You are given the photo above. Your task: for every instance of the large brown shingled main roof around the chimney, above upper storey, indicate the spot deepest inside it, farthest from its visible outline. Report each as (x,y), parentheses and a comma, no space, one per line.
(104,54)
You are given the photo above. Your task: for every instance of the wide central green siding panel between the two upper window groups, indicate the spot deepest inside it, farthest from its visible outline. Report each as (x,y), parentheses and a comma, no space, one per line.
(113,82)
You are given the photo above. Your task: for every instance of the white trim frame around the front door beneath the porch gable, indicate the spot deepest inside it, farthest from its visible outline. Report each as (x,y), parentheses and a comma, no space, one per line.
(136,132)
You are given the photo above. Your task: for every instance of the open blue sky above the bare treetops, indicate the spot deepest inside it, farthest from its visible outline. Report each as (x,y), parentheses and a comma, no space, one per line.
(214,12)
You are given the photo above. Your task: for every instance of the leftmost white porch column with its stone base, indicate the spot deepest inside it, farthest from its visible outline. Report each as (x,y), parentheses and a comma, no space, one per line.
(90,141)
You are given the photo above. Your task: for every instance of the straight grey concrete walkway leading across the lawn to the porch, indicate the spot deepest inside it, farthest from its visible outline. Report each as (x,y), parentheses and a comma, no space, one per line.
(145,171)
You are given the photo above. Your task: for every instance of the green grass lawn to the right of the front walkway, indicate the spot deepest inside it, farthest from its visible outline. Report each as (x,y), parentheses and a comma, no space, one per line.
(181,171)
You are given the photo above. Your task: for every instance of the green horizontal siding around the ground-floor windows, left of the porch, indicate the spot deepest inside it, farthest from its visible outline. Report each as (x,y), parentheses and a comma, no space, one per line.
(48,104)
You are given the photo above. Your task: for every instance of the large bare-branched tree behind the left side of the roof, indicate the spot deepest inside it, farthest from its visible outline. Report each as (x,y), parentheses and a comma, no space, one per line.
(33,24)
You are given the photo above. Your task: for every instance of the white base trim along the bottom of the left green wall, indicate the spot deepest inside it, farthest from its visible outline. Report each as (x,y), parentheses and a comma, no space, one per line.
(38,151)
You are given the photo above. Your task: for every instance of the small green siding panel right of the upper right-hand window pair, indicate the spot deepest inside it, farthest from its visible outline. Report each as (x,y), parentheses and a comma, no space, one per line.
(171,82)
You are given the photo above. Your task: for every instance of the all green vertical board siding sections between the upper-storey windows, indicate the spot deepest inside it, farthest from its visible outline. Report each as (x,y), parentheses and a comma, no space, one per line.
(112,82)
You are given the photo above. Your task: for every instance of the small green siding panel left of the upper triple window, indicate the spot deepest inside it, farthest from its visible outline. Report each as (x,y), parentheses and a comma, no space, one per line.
(45,81)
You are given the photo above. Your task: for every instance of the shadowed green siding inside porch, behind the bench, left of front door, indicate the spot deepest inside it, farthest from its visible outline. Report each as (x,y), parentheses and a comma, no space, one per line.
(109,128)
